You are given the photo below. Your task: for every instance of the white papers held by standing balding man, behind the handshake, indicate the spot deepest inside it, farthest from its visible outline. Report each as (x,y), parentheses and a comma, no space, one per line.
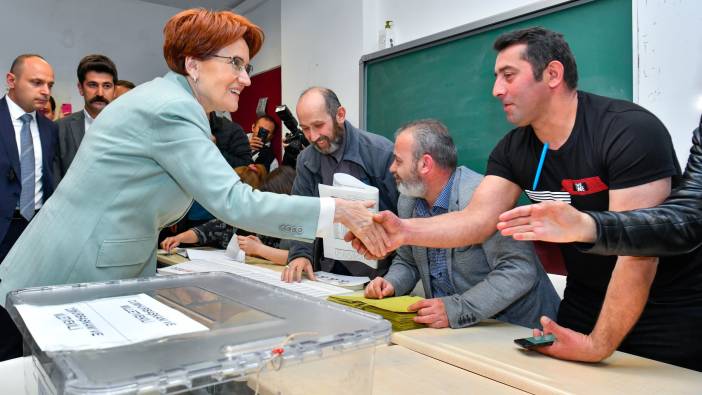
(347,187)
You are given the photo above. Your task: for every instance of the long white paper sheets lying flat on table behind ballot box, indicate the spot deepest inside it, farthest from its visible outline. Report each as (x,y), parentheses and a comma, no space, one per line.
(220,263)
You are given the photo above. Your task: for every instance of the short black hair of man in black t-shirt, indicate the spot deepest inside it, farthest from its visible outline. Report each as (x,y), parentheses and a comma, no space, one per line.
(543,47)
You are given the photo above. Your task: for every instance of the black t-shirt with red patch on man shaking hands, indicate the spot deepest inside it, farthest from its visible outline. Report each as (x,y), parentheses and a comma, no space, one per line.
(614,144)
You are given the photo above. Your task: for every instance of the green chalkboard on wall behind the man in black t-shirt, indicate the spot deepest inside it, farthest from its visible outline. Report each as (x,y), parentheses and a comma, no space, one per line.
(452,80)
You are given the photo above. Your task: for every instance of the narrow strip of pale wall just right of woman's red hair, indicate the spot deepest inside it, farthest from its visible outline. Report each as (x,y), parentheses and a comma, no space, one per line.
(266,15)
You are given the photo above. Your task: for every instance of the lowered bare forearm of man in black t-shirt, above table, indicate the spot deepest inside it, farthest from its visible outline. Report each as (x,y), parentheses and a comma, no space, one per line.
(624,302)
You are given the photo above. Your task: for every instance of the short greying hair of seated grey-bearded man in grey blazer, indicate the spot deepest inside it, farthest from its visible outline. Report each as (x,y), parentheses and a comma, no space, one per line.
(431,137)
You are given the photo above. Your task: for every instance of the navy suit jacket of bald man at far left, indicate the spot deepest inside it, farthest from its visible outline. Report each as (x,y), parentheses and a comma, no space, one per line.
(10,179)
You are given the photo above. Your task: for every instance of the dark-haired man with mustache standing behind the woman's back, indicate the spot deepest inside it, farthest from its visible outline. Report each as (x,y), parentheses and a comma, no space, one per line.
(97,76)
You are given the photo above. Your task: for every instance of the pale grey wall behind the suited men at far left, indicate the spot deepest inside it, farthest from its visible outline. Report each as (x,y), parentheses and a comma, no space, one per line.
(130,32)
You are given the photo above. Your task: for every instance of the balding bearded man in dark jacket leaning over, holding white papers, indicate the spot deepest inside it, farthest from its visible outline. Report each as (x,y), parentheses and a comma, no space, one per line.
(336,146)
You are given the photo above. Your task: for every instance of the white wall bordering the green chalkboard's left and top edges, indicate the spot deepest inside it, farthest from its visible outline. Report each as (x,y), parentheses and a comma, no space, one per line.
(323,41)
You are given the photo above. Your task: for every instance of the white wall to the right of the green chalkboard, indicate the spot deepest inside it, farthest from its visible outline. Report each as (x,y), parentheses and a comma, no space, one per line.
(669,75)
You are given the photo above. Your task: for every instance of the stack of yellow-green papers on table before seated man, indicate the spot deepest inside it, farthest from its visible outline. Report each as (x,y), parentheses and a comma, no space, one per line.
(392,309)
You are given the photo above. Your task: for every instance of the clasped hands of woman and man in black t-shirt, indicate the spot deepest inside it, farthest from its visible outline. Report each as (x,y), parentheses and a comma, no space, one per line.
(372,235)
